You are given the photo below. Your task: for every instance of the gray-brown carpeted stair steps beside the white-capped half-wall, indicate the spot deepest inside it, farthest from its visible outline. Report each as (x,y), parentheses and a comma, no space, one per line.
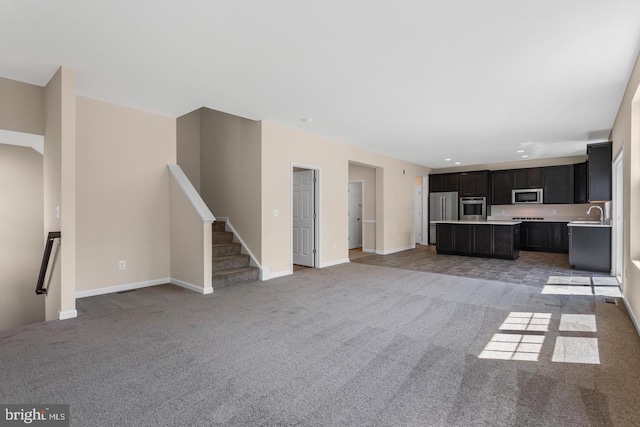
(229,264)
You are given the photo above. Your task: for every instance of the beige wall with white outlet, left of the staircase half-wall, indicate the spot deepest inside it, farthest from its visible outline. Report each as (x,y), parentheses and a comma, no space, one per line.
(123,210)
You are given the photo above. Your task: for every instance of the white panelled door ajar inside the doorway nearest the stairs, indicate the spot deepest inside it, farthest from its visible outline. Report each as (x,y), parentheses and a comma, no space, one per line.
(303,217)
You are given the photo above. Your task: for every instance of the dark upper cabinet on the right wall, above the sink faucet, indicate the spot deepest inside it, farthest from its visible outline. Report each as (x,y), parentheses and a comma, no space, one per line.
(599,172)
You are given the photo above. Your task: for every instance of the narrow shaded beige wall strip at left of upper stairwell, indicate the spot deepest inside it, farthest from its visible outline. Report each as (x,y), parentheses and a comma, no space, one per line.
(188,146)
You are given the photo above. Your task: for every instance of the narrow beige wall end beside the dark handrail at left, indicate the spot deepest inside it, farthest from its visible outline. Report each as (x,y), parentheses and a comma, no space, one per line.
(59,190)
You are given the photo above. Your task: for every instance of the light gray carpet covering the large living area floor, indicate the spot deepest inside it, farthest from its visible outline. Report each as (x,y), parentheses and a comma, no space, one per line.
(350,345)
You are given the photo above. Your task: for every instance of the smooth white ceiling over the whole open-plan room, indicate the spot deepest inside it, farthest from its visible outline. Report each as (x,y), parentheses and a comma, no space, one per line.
(420,80)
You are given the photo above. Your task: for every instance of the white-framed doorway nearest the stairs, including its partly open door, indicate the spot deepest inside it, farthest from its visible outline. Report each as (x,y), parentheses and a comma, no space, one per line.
(304,217)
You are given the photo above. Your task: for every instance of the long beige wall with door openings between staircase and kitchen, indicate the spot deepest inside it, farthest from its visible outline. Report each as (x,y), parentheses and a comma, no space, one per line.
(282,147)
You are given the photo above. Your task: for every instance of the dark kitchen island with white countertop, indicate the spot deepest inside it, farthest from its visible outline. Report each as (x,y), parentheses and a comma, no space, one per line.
(490,239)
